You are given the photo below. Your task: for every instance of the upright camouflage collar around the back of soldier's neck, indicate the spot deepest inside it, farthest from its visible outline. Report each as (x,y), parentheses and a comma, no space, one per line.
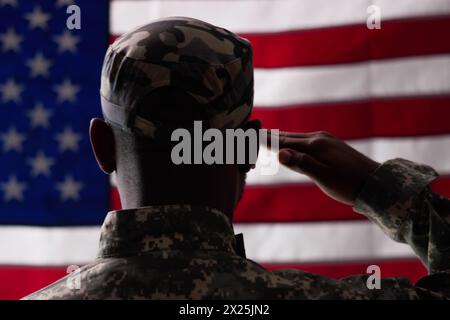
(141,230)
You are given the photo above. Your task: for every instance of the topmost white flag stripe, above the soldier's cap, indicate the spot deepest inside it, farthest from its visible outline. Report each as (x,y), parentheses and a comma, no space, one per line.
(268,15)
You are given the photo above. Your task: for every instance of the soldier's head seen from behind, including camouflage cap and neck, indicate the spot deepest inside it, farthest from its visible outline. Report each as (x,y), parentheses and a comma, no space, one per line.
(162,77)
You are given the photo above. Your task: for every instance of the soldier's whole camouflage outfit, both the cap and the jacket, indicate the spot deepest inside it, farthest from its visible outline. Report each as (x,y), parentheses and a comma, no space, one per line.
(187,252)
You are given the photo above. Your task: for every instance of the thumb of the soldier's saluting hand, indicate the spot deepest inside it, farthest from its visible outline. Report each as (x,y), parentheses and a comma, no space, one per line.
(302,163)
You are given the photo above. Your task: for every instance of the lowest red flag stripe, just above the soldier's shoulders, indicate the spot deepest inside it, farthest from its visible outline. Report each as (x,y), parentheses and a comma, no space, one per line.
(19,281)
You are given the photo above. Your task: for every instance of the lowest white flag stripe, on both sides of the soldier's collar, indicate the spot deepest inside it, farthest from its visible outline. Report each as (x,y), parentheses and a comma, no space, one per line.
(296,242)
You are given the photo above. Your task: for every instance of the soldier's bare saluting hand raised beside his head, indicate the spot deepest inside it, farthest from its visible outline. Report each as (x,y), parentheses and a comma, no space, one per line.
(336,168)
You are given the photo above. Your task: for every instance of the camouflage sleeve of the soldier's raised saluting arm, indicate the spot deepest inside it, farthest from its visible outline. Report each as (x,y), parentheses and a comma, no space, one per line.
(397,197)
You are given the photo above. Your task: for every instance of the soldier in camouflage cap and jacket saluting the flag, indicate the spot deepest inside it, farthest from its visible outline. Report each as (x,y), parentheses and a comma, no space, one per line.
(174,238)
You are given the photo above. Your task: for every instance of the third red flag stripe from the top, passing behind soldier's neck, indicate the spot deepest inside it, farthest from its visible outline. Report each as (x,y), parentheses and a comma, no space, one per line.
(291,203)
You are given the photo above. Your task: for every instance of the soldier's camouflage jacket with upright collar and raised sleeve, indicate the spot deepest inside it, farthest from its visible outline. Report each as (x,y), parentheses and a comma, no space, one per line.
(188,252)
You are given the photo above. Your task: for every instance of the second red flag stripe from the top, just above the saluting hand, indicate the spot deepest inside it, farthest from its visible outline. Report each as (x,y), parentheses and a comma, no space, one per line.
(395,117)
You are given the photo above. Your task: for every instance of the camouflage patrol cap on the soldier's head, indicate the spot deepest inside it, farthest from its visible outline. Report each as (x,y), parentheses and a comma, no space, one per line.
(198,62)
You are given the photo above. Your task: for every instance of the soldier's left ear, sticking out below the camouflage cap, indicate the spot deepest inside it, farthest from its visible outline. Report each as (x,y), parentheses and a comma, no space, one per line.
(103,145)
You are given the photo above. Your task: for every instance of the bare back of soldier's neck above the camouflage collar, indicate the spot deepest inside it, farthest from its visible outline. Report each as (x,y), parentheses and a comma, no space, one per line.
(215,187)
